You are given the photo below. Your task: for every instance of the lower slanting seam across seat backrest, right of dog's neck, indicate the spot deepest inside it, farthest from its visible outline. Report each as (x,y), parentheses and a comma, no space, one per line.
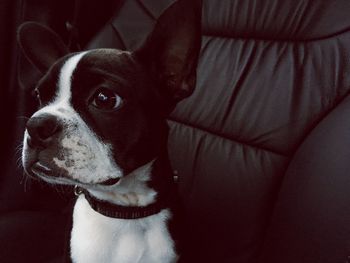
(223,136)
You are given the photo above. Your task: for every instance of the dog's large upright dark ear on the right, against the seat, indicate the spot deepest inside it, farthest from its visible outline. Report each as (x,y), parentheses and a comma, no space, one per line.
(172,49)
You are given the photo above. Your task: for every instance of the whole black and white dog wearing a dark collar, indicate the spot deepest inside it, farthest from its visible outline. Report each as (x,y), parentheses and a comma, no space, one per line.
(102,127)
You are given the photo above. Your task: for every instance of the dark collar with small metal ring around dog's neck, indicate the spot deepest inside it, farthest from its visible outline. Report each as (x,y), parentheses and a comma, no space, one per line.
(118,211)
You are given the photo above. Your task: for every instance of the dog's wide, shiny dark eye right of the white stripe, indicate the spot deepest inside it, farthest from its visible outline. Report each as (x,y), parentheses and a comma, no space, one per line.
(106,99)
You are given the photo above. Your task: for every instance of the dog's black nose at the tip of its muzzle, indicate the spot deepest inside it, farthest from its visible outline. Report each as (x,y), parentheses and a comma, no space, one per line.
(41,129)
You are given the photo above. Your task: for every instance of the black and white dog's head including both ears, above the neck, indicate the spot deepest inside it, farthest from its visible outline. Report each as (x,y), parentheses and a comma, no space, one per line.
(102,112)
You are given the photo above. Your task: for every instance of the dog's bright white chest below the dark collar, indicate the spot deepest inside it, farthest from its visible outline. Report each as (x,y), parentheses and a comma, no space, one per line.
(96,238)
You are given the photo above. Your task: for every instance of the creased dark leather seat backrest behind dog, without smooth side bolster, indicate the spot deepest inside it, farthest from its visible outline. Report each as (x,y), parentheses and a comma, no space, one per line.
(269,72)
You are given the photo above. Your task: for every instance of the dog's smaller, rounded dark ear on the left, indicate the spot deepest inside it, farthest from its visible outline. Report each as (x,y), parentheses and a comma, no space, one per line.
(41,45)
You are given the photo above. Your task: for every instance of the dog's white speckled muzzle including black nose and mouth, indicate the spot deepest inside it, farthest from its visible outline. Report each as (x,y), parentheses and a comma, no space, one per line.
(63,150)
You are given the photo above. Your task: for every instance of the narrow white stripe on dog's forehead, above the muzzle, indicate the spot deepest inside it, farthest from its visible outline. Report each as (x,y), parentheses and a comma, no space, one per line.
(65,77)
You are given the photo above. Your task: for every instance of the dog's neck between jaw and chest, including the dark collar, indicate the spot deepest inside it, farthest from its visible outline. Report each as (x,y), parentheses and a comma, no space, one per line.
(145,191)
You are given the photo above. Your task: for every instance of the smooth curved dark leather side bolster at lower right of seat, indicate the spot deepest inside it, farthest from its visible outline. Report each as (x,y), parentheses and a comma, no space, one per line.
(311,222)
